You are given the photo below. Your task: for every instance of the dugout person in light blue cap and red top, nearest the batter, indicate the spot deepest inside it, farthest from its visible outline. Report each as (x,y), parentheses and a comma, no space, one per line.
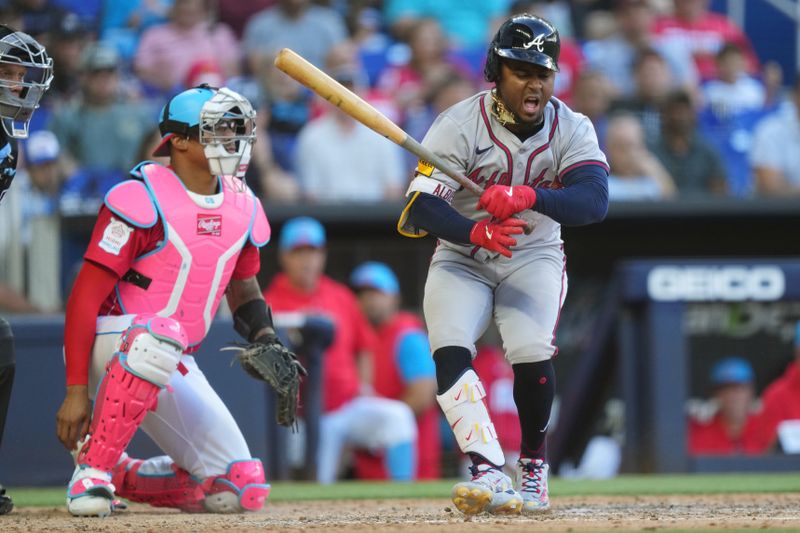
(404,368)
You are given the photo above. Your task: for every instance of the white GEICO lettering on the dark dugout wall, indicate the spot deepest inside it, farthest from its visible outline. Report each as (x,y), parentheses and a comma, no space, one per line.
(727,283)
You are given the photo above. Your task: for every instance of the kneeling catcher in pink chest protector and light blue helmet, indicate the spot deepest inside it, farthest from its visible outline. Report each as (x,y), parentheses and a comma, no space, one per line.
(165,248)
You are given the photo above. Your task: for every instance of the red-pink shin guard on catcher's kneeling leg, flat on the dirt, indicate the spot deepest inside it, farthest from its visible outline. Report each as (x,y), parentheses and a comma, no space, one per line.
(175,489)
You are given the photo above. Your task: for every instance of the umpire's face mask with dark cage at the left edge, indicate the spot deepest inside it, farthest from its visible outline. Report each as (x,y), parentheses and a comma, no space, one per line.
(25,74)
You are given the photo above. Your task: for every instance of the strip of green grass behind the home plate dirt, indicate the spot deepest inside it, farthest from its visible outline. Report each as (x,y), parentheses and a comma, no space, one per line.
(623,485)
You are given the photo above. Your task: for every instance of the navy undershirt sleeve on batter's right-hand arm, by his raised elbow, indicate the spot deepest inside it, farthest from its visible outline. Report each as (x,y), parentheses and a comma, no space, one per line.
(583,200)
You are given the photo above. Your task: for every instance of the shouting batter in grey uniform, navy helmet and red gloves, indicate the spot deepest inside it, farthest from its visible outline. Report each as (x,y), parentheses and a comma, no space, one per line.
(532,154)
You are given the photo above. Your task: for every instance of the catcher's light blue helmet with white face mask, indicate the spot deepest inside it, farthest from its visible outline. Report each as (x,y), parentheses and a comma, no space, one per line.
(221,119)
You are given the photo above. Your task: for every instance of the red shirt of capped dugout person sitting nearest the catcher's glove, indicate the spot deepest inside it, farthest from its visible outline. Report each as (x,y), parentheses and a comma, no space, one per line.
(352,332)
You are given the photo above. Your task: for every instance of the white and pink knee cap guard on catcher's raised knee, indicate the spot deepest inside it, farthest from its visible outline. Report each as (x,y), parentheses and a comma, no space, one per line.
(151,348)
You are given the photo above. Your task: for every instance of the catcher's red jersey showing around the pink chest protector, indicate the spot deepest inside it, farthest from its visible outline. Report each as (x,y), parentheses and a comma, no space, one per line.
(140,241)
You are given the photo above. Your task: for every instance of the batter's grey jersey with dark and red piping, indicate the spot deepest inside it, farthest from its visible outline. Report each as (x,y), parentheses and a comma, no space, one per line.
(471,139)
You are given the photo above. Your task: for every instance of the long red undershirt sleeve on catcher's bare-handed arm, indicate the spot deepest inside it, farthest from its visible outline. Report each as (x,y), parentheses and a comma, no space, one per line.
(92,286)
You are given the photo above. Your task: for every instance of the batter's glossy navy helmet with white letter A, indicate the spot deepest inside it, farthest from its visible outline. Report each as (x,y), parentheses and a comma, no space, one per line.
(523,37)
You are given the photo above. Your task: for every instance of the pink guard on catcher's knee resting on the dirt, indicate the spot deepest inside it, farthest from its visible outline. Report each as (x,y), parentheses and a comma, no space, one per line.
(242,488)
